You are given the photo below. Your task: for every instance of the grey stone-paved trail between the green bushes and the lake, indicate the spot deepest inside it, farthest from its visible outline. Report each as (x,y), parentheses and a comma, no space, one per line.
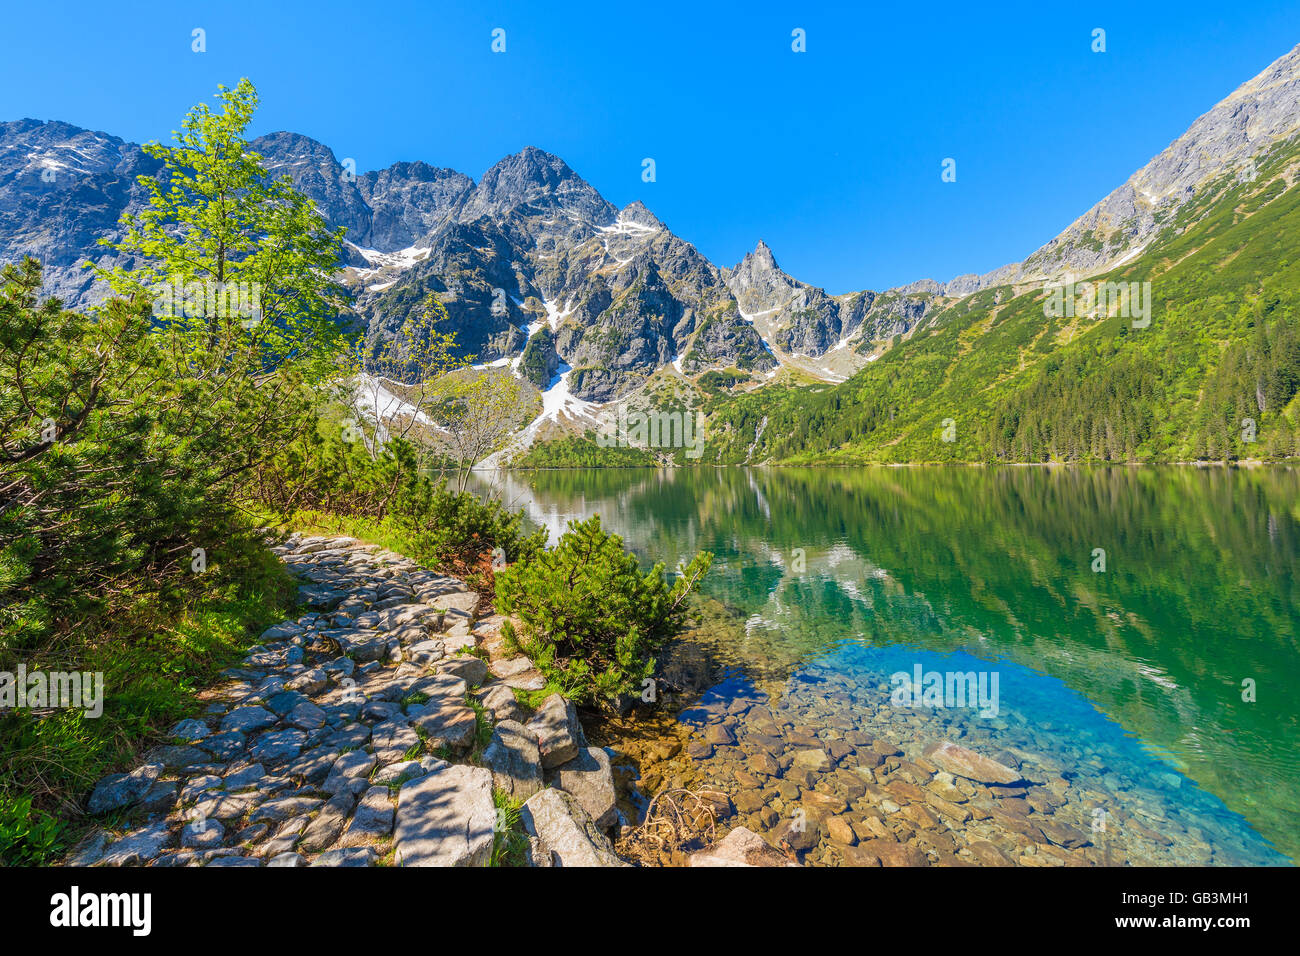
(346,738)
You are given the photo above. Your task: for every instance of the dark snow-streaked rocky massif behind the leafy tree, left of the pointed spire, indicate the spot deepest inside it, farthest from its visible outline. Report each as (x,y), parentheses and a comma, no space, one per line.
(612,295)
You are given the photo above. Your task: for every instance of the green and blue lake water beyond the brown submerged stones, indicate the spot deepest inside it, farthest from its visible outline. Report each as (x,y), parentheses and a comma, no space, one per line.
(1128,684)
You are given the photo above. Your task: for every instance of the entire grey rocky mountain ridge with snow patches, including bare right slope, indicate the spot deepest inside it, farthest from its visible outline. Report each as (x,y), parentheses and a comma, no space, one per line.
(617,295)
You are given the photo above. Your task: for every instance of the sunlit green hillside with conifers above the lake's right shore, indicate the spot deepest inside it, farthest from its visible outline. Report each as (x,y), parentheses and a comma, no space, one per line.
(1004,382)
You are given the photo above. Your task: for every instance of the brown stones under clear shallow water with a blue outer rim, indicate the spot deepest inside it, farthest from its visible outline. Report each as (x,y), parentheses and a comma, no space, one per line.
(829,771)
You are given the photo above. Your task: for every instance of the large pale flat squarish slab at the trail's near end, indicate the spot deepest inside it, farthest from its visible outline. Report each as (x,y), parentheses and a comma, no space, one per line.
(445,819)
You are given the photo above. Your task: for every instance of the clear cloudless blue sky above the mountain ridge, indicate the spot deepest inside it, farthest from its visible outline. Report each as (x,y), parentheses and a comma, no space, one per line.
(833,157)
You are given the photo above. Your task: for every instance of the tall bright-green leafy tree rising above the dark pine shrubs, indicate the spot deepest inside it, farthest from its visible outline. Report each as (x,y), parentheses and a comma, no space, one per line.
(239,261)
